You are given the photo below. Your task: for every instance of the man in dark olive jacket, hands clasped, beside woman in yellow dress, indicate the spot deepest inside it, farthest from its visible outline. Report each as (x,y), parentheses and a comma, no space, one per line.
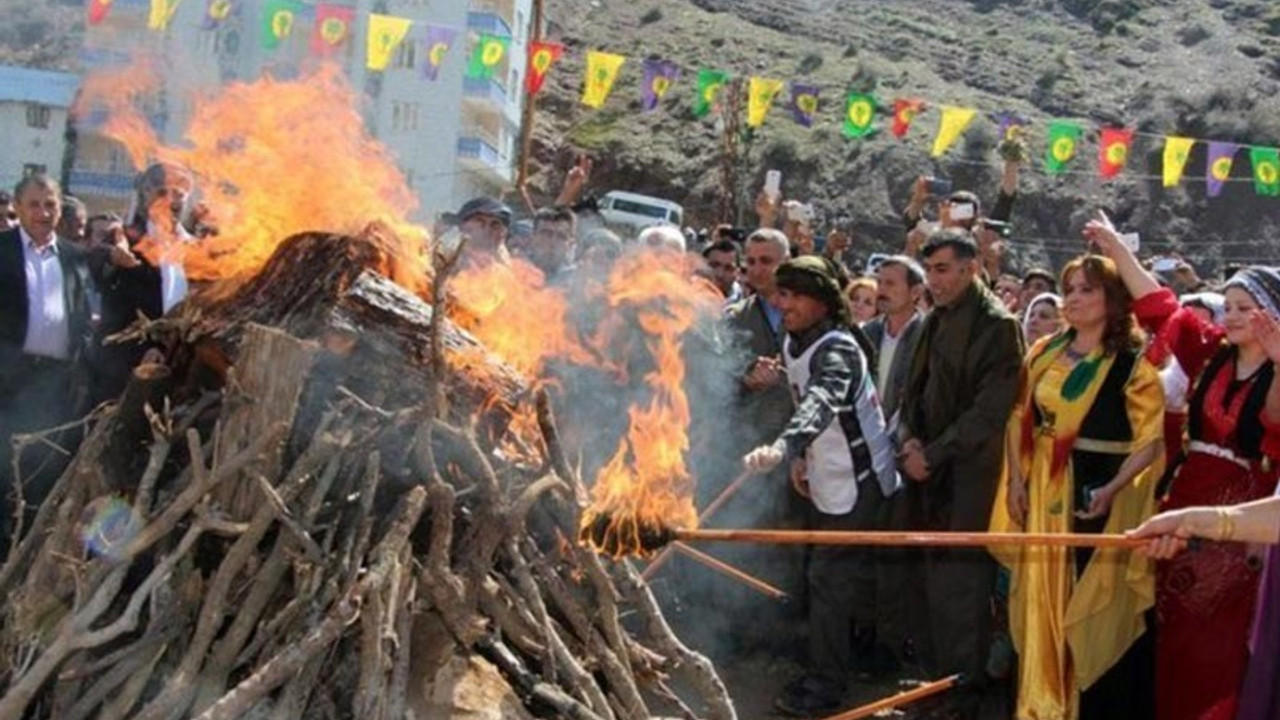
(957,404)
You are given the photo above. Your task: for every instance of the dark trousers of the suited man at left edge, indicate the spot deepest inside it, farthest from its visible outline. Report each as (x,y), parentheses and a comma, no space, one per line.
(35,395)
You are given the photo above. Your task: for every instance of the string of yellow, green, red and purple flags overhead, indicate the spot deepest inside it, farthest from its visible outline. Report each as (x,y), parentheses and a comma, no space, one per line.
(332,31)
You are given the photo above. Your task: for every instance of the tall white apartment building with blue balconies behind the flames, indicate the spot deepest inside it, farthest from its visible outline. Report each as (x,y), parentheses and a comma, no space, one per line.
(454,139)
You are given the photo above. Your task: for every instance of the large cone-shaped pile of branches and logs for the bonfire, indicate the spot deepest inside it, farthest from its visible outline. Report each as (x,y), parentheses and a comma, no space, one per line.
(307,514)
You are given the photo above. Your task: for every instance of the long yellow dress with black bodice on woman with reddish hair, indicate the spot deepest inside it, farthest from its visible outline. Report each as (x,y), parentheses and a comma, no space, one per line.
(1075,613)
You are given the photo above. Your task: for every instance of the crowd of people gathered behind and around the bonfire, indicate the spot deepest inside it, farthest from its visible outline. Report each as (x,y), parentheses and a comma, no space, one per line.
(929,390)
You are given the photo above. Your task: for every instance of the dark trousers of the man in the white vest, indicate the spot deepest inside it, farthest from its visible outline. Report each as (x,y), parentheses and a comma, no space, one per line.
(842,590)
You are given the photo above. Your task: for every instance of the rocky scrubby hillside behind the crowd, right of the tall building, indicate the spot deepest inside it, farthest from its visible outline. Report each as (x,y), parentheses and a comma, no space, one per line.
(1204,69)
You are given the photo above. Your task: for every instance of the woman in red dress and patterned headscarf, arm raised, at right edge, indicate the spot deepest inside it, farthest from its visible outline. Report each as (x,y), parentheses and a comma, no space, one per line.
(1205,600)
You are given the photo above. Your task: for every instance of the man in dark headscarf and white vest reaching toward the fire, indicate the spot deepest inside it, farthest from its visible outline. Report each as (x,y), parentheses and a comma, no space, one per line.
(840,459)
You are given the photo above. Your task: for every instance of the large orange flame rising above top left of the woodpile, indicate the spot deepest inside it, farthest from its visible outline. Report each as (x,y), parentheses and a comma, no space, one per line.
(271,160)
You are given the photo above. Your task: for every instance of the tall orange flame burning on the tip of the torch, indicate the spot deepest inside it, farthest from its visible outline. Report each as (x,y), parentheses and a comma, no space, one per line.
(647,489)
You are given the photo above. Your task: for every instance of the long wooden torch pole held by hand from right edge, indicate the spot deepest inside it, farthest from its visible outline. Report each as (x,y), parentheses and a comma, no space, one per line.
(909,539)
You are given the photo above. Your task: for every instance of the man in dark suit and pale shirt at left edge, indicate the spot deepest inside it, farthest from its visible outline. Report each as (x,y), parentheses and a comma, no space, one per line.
(45,331)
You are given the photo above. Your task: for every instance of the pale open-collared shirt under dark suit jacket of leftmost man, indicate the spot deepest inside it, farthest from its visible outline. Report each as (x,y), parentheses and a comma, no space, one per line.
(48,327)
